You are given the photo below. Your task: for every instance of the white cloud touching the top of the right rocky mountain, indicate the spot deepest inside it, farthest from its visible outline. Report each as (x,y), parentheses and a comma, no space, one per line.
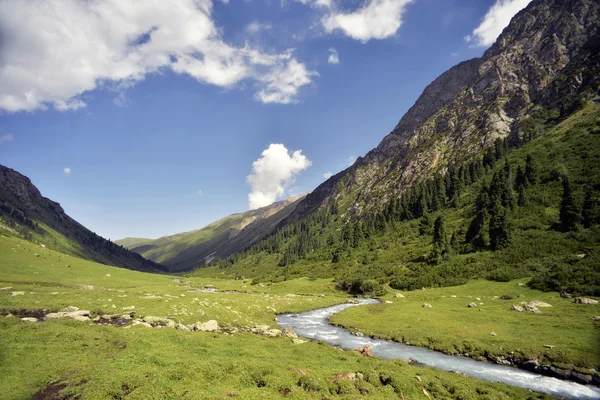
(495,20)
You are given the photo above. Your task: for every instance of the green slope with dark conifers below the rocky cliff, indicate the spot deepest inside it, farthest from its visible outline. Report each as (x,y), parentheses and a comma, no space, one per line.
(502,224)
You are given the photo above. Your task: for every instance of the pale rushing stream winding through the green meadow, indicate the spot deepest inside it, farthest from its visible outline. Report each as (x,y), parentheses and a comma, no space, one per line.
(315,325)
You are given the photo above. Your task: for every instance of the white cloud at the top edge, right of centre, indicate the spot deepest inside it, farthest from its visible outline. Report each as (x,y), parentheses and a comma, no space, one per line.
(379,19)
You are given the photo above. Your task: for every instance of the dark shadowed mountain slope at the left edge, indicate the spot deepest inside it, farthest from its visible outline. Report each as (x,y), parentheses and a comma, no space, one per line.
(24,212)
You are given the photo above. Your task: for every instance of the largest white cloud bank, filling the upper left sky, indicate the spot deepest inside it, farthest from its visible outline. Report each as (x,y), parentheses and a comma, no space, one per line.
(55,51)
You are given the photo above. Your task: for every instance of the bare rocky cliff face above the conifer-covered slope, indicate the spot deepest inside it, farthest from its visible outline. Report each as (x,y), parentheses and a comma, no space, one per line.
(549,50)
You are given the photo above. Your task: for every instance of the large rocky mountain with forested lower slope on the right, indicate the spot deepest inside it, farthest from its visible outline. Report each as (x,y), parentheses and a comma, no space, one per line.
(453,170)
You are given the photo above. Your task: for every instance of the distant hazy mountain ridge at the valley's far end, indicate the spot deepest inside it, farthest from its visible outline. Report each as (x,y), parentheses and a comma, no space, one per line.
(220,239)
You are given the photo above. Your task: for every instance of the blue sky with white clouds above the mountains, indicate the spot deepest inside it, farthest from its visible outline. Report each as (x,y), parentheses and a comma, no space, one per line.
(149,118)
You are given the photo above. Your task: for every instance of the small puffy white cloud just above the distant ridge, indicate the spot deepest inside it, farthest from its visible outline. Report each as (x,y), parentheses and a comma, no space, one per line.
(273,173)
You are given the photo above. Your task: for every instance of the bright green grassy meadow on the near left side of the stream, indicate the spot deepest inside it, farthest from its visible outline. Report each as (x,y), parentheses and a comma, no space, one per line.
(60,358)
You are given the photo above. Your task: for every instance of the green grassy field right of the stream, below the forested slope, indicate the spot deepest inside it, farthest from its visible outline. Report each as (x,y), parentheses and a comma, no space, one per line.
(454,328)
